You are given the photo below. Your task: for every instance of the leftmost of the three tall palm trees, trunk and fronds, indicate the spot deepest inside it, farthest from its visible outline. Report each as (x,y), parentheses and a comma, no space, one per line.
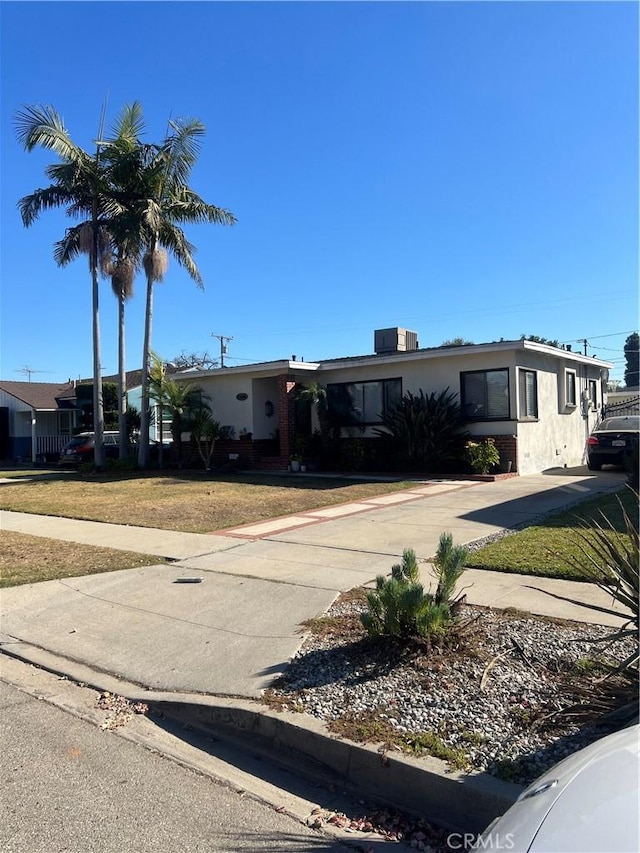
(79,185)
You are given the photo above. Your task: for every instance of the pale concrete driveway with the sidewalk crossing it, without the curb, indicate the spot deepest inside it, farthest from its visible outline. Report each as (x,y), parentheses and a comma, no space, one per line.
(225,618)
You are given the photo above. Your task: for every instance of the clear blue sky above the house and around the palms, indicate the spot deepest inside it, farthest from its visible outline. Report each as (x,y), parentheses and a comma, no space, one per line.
(459,169)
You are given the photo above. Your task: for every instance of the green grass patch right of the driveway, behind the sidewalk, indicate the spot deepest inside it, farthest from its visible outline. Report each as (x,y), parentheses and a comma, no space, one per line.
(547,548)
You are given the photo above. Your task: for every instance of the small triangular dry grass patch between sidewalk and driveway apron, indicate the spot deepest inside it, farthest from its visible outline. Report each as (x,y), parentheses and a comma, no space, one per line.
(30,559)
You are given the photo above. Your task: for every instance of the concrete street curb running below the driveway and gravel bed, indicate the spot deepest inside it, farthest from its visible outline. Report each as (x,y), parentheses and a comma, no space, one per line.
(423,787)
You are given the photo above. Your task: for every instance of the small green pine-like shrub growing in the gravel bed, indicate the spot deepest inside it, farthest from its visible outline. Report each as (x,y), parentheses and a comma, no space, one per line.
(399,606)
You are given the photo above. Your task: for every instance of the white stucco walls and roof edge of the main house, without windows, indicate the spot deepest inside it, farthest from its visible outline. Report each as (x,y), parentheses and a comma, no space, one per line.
(557,438)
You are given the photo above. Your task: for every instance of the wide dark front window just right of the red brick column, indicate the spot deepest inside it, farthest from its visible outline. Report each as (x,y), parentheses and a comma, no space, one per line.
(362,403)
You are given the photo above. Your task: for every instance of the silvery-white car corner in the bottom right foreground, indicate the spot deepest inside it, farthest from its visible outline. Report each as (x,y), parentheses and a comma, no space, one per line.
(587,803)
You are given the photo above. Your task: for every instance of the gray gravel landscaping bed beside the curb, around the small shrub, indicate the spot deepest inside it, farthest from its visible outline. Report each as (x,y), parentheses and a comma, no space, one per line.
(489,699)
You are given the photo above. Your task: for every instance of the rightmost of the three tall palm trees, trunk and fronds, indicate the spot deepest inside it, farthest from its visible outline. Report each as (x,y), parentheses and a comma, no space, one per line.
(155,201)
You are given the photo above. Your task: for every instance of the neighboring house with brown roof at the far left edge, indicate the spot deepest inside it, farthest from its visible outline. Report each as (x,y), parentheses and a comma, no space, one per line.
(36,418)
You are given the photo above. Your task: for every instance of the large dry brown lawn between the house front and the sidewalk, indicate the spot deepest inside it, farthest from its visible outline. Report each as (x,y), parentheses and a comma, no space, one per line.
(193,504)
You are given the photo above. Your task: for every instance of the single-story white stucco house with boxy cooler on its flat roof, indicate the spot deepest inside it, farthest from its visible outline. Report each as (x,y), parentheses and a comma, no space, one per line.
(537,401)
